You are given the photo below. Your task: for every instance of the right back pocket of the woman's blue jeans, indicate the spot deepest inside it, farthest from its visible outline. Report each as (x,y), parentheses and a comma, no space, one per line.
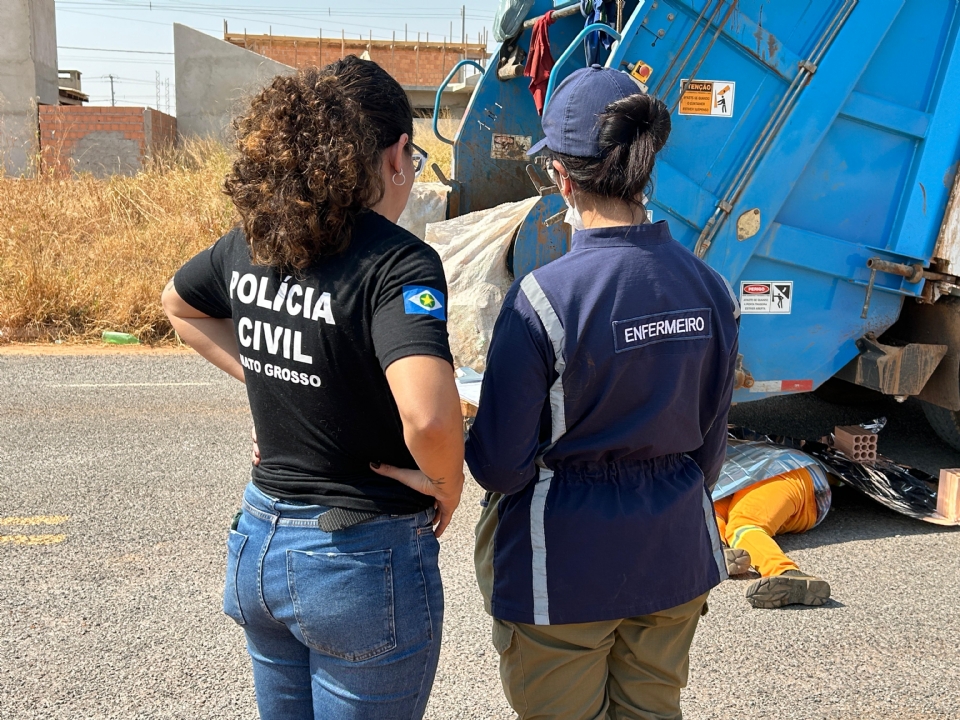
(343,602)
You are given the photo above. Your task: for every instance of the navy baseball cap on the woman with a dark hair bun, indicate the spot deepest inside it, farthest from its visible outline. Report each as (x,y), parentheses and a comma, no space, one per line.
(570,117)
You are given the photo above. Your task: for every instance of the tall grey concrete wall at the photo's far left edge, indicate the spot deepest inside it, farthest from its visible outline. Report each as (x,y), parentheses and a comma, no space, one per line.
(28,77)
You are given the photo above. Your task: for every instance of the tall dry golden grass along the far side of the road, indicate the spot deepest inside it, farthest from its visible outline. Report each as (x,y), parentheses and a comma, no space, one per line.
(80,255)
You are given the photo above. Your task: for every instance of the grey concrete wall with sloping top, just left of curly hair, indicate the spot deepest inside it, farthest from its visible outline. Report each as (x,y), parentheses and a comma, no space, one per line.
(214,80)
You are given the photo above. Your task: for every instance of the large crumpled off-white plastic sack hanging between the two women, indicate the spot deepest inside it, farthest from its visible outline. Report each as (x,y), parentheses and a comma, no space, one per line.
(474,249)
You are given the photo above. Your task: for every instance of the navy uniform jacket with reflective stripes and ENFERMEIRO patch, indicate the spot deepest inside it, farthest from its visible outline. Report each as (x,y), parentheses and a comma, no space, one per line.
(603,423)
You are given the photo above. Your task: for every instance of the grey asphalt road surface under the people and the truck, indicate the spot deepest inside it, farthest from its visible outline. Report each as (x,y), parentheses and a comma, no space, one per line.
(139,461)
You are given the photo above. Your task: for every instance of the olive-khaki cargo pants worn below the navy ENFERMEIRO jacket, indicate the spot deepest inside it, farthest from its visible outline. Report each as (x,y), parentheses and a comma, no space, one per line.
(629,669)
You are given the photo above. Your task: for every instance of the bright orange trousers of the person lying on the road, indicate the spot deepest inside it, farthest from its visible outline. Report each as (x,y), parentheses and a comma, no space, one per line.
(751,517)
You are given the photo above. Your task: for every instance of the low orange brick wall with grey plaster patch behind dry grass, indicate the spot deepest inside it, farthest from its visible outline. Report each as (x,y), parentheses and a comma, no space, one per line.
(102,140)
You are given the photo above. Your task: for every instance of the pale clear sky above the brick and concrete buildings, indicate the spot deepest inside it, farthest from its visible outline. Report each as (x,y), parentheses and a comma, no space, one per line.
(133,39)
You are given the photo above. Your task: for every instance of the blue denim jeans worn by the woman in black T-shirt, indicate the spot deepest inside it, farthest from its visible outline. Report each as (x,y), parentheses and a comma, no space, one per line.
(340,626)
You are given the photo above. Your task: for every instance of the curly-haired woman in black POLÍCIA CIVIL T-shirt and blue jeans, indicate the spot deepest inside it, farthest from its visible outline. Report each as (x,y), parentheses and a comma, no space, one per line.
(334,317)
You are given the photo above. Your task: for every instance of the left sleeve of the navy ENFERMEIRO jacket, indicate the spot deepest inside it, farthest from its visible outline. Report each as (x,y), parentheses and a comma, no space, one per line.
(505,439)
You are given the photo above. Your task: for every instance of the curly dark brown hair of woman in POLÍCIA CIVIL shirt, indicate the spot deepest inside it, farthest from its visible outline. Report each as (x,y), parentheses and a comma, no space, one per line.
(310,157)
